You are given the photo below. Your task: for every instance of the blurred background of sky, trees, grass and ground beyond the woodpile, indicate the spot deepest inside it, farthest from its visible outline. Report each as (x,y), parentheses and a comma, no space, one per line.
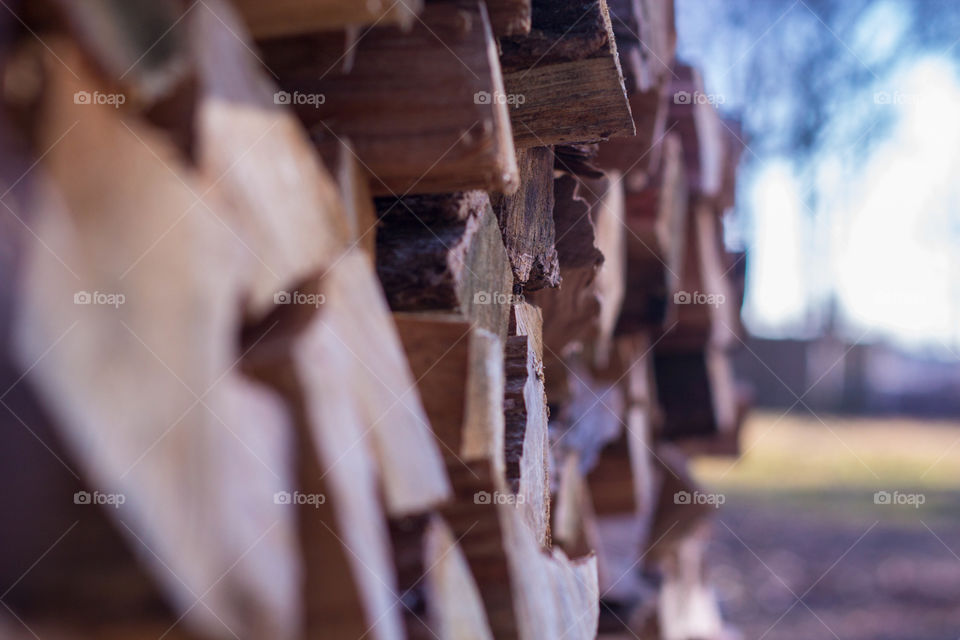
(843,513)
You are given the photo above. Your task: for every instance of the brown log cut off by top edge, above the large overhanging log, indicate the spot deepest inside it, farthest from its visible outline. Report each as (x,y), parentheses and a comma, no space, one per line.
(292,17)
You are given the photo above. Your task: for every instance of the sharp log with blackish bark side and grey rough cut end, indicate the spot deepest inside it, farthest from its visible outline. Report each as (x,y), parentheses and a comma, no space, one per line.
(457,264)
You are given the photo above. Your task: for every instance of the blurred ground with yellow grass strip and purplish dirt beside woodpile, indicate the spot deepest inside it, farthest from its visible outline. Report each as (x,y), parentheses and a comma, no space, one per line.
(802,549)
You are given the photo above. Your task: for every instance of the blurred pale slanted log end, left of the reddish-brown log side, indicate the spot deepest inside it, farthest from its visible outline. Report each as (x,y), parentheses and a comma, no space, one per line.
(362,352)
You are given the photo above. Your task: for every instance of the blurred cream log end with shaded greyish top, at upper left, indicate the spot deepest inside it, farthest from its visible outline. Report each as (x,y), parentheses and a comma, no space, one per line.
(259,155)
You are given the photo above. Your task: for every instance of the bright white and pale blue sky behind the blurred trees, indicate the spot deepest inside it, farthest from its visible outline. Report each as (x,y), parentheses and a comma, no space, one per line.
(880,241)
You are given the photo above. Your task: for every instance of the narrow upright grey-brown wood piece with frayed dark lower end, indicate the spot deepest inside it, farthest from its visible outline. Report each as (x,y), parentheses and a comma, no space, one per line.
(526,222)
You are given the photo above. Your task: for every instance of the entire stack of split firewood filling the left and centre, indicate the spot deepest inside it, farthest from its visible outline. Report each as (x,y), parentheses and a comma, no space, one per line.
(339,319)
